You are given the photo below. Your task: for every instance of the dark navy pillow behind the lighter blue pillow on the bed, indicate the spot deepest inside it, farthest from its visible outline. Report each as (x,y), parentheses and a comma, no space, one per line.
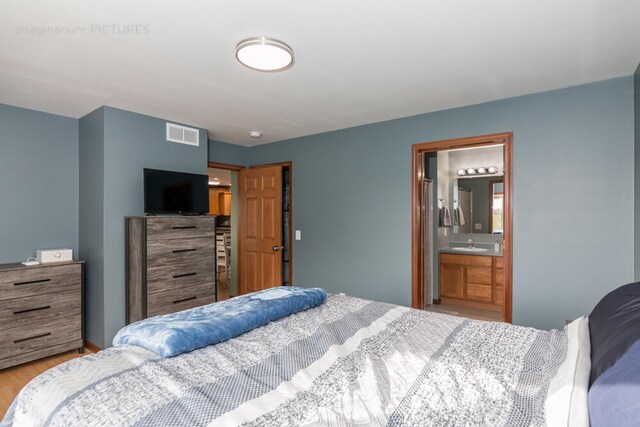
(613,327)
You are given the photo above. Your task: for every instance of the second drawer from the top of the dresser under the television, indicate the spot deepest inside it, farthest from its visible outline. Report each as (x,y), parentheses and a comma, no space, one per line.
(161,253)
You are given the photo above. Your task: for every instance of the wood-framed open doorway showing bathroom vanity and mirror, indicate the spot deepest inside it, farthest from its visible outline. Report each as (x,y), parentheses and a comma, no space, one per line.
(462,227)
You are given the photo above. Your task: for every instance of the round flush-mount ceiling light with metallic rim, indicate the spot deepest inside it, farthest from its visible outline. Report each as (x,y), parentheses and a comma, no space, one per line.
(264,54)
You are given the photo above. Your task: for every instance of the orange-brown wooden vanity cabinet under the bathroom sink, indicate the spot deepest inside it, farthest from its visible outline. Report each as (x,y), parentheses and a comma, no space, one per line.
(474,278)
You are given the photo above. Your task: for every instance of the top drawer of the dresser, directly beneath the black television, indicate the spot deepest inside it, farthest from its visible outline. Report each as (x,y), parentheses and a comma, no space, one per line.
(180,227)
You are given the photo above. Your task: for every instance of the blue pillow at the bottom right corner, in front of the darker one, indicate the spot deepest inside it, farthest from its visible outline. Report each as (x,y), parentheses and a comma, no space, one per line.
(614,399)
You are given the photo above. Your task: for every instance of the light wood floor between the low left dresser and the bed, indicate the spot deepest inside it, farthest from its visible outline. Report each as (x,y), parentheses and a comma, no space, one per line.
(13,379)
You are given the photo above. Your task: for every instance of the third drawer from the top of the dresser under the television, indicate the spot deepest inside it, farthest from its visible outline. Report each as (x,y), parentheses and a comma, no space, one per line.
(180,275)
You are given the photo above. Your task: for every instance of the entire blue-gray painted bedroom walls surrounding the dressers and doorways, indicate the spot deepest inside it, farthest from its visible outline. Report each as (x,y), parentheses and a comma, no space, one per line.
(351,195)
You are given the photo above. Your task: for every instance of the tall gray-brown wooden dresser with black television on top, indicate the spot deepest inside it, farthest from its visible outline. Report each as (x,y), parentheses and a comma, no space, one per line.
(171,264)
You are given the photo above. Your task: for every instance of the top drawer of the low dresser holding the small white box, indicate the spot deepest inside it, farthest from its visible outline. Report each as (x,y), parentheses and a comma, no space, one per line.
(25,282)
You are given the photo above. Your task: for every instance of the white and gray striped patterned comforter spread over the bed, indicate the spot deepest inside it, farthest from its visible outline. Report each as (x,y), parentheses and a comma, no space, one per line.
(347,362)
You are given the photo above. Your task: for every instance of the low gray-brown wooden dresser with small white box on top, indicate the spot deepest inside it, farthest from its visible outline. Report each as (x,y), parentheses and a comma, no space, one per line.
(41,311)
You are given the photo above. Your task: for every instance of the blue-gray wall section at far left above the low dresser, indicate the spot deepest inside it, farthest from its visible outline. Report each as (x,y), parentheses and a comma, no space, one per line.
(39,185)
